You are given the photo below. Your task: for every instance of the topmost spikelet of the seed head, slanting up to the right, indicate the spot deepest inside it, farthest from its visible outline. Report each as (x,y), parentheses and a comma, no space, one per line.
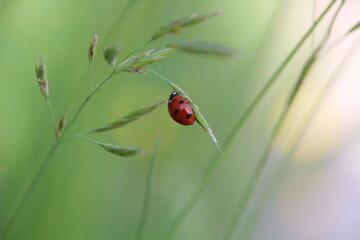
(177,25)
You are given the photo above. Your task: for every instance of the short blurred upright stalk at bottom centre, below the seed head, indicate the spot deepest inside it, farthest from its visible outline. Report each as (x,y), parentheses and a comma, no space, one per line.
(149,189)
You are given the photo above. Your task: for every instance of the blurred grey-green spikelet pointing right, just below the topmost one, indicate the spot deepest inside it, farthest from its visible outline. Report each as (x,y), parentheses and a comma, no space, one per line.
(205,48)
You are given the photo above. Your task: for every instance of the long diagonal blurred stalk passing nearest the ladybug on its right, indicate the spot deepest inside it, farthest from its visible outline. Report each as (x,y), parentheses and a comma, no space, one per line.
(207,174)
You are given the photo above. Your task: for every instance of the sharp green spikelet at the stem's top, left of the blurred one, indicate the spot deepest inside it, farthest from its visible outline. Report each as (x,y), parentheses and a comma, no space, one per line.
(137,61)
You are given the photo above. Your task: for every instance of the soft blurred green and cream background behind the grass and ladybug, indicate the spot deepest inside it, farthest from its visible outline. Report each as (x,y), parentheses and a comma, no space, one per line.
(87,193)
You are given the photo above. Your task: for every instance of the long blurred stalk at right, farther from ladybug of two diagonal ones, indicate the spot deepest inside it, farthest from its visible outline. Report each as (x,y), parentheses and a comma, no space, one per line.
(241,207)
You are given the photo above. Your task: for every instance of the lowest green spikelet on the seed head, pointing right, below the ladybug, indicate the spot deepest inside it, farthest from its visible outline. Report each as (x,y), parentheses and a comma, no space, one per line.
(121,151)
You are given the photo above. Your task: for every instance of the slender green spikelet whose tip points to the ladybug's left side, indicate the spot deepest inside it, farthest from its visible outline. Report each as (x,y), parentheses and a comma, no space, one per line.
(128,118)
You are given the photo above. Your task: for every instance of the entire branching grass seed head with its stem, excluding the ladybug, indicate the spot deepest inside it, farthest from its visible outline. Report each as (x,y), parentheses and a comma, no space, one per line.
(135,62)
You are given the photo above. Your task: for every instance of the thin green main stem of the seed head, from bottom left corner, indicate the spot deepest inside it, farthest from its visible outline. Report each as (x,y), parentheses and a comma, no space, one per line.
(34,182)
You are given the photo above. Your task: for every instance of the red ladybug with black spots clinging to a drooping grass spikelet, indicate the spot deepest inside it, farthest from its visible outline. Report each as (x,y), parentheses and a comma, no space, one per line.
(180,110)
